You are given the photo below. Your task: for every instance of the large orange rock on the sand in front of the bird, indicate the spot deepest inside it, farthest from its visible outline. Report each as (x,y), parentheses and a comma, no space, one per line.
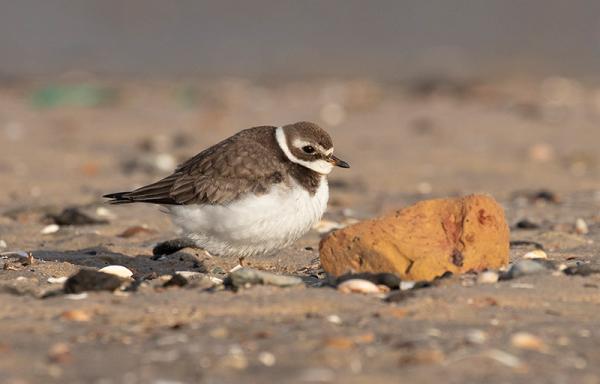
(423,241)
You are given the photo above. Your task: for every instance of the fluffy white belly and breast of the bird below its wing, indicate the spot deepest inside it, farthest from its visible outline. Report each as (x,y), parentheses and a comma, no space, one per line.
(253,225)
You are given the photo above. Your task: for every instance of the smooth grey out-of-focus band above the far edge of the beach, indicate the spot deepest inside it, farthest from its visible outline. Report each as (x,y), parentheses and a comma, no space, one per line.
(384,38)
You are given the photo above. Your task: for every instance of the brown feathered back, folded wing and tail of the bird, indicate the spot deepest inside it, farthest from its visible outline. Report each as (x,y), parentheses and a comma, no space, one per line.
(241,164)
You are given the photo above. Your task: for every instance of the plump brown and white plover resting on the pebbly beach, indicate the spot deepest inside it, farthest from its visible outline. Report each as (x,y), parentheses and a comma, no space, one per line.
(251,194)
